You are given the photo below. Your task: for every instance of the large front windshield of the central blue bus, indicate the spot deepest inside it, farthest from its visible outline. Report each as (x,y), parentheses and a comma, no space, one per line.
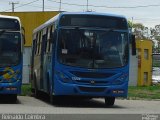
(93,48)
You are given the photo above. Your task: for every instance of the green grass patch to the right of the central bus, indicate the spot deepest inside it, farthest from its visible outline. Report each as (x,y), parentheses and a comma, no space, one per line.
(150,92)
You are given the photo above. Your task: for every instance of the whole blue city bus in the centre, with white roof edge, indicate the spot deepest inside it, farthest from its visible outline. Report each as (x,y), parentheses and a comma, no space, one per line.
(84,54)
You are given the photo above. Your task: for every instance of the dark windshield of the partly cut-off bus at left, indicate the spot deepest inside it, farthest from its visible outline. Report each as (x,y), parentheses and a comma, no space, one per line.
(10,48)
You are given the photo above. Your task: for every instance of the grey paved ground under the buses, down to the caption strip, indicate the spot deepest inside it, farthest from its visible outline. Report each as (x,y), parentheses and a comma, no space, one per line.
(95,106)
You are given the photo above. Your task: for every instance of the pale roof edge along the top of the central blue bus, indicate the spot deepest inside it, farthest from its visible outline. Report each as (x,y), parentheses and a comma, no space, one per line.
(74,13)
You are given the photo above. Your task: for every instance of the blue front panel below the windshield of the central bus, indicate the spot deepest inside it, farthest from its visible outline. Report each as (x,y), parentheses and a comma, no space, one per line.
(112,84)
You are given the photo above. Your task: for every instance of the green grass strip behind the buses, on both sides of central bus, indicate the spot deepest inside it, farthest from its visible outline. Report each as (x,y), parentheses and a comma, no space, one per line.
(134,93)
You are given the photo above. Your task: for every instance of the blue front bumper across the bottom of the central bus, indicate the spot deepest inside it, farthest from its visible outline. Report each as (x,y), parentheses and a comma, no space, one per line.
(61,88)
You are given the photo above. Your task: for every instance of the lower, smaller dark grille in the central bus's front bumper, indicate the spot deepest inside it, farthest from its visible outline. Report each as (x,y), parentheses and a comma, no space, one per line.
(91,89)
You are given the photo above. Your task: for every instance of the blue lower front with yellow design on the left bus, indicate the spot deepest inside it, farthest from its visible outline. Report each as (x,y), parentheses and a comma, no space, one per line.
(11,80)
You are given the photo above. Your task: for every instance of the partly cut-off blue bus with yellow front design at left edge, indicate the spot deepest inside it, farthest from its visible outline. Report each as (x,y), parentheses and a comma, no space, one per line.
(11,57)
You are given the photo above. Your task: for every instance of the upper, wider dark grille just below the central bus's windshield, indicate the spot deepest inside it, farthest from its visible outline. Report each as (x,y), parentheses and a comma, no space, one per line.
(92,74)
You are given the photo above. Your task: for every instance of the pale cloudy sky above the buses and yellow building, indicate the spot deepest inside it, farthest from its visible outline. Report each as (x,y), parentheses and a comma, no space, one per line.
(146,12)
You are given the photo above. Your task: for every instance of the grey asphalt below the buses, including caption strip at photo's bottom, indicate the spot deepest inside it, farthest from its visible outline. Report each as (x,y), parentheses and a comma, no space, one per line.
(93,109)
